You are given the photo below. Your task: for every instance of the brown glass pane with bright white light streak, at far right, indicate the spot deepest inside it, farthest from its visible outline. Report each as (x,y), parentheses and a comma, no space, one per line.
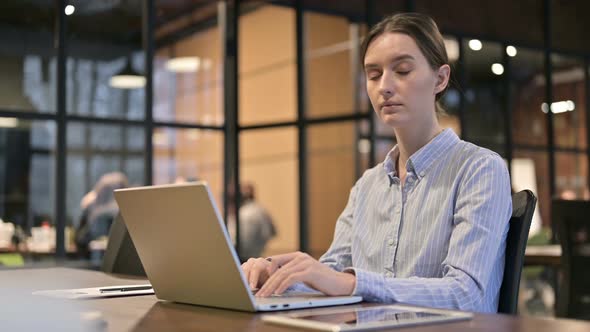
(569,114)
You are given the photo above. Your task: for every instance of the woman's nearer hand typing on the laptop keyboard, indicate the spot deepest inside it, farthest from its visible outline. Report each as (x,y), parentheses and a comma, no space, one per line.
(288,269)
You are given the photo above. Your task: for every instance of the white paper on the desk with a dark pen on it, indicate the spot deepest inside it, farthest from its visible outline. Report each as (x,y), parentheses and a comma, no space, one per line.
(97,292)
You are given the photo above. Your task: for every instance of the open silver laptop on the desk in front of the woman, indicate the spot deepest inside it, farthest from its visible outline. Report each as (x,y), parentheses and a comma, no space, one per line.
(187,253)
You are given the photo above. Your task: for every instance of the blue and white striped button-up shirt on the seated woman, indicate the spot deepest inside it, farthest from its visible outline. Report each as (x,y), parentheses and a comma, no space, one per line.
(438,240)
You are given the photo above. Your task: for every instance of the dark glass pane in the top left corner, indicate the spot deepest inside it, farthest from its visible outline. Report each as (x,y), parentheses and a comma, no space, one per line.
(28,56)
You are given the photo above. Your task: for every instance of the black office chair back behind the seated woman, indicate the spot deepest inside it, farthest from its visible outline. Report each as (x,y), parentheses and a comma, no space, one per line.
(523,206)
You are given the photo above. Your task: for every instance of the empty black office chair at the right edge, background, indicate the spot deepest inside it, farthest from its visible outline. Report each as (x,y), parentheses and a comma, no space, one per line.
(571,218)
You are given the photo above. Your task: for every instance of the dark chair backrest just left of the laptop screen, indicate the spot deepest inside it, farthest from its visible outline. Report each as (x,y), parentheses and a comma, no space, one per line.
(120,255)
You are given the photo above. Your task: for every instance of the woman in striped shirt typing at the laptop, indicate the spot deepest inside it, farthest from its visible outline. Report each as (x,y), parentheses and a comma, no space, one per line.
(426,226)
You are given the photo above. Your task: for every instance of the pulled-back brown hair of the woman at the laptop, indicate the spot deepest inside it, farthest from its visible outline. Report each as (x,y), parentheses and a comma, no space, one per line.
(422,29)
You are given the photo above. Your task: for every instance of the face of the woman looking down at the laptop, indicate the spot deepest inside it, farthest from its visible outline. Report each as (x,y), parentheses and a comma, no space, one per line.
(401,84)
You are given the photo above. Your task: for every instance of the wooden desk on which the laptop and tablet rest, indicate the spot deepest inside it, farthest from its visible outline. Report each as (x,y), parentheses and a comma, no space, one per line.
(146,313)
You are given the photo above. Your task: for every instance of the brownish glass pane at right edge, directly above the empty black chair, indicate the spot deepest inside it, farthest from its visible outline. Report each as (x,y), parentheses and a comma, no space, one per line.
(571,175)
